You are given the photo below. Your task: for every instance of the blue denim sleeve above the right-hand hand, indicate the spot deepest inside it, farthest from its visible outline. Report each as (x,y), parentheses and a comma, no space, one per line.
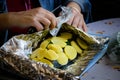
(85,6)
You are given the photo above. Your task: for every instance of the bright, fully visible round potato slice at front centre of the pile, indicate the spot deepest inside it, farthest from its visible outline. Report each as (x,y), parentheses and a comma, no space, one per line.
(62,59)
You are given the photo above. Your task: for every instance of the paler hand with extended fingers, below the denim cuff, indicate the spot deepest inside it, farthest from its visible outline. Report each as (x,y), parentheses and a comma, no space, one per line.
(77,19)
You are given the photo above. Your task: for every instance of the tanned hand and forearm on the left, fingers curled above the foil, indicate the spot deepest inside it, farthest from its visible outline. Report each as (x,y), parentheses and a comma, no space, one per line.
(38,18)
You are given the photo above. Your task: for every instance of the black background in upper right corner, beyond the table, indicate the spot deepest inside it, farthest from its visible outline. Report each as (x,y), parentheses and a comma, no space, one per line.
(105,9)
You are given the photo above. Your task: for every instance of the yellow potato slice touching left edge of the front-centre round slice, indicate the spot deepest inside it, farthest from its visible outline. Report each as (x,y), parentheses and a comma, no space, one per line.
(51,55)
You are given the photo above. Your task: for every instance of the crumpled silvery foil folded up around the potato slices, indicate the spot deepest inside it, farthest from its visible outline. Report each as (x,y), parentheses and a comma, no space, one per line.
(15,55)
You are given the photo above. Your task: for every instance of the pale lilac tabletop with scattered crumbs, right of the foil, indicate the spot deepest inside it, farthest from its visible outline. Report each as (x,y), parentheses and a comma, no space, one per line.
(104,69)
